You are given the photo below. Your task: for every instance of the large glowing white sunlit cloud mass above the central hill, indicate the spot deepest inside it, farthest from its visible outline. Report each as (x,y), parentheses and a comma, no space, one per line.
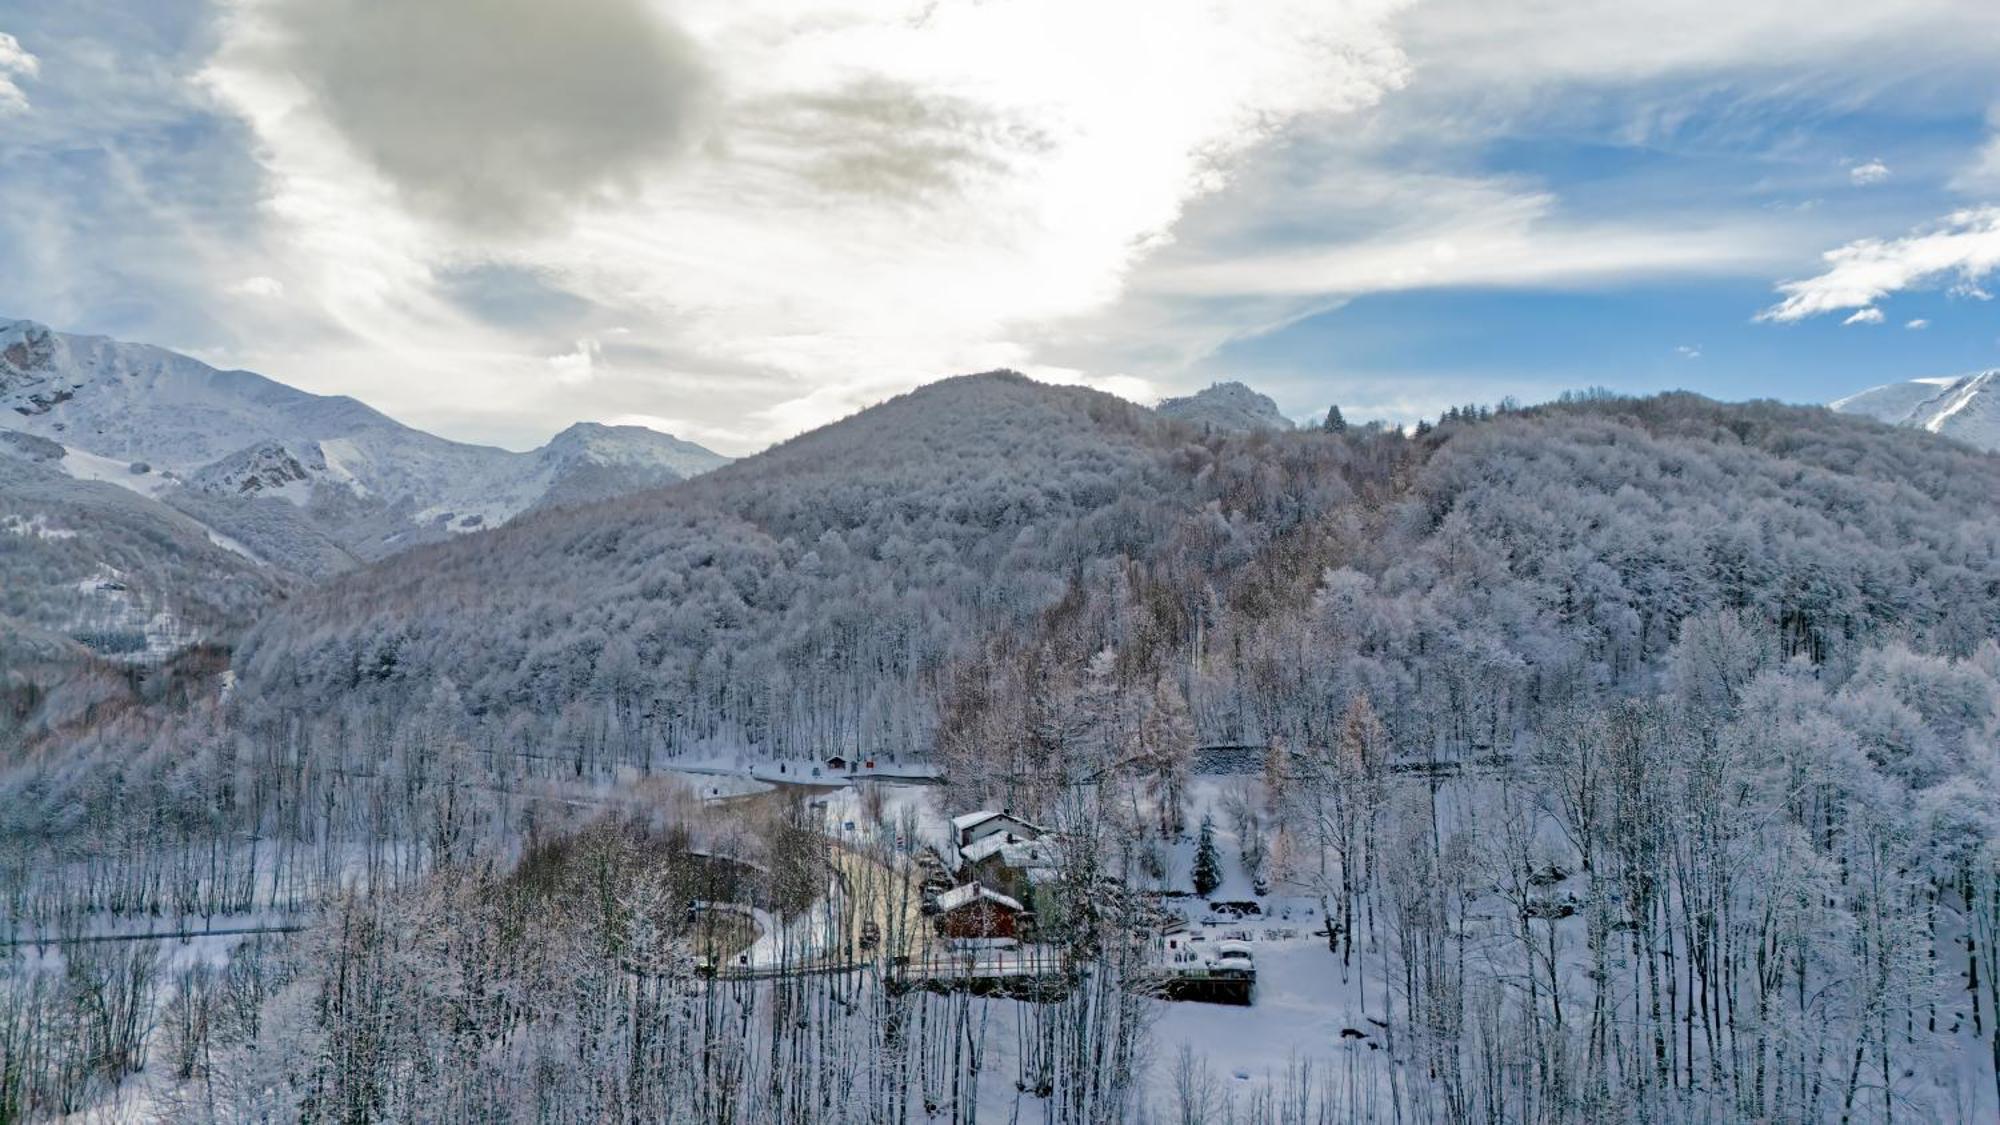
(861,197)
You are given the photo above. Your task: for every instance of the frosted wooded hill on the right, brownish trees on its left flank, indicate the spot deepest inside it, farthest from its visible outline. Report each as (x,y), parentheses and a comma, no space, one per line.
(1509,566)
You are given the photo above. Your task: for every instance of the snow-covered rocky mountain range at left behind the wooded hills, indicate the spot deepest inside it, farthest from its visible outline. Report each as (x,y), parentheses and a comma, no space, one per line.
(221,445)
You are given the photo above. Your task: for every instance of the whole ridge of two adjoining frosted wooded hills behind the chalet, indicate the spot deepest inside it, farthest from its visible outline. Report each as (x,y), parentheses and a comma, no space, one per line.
(831,592)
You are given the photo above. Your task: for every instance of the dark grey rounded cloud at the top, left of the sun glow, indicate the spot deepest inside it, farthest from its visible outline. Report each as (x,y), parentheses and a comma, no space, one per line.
(501,115)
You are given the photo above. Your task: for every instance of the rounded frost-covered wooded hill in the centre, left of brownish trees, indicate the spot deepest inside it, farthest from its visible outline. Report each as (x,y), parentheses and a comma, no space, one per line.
(851,559)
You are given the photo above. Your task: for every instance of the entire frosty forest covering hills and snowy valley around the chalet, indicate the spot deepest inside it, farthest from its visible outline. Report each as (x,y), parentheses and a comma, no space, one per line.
(1637,760)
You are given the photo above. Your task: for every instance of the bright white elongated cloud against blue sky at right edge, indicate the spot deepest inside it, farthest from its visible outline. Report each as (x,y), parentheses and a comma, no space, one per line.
(1965,247)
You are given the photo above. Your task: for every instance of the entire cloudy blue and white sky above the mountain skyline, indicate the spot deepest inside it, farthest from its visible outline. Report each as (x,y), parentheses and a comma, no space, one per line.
(741,219)
